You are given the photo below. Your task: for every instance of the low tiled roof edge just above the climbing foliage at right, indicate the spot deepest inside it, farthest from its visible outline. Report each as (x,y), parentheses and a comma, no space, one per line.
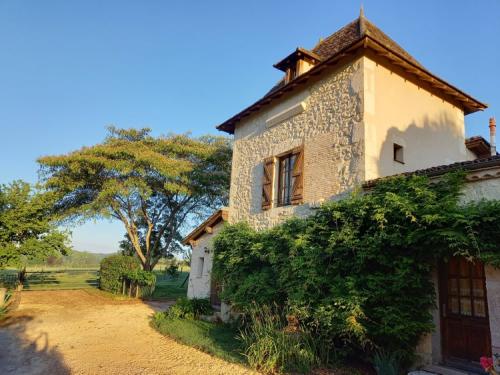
(470,165)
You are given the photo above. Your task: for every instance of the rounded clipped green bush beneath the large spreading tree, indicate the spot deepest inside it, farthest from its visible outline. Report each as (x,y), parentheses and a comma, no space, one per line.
(113,269)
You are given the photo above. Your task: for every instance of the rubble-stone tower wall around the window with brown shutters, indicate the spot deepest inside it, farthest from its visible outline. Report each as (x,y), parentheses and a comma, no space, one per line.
(331,130)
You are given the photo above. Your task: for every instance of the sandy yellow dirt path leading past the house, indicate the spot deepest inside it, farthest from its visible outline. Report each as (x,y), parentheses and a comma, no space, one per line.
(77,332)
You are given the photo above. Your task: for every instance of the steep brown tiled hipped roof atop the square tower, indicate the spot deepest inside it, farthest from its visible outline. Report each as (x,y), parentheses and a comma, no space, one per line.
(333,47)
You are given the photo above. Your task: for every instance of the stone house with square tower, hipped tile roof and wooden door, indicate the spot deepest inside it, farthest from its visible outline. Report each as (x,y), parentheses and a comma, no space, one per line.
(355,108)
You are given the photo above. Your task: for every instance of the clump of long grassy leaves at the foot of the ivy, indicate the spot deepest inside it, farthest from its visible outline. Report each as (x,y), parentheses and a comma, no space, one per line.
(273,346)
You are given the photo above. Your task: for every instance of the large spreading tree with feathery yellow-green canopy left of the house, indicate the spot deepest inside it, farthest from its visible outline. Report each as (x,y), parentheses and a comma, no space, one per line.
(153,185)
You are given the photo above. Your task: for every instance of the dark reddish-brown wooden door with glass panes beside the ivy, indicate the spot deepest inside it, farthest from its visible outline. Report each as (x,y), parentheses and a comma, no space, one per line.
(464,311)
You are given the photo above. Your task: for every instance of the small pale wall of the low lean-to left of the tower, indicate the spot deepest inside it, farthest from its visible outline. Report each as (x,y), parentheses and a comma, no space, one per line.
(199,286)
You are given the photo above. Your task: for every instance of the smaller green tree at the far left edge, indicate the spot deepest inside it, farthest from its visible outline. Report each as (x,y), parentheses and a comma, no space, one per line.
(28,226)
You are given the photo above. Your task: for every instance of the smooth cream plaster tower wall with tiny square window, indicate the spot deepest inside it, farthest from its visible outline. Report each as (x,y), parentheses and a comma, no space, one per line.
(396,110)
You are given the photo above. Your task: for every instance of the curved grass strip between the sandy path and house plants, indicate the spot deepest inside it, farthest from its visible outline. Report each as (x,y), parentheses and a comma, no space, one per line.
(216,339)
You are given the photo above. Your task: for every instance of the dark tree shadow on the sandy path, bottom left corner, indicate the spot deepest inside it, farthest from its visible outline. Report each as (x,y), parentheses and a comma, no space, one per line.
(22,355)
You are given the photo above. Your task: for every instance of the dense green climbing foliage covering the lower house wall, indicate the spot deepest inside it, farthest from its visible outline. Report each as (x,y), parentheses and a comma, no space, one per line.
(357,272)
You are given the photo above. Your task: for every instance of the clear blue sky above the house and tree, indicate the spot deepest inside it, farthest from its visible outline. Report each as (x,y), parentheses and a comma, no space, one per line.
(70,68)
